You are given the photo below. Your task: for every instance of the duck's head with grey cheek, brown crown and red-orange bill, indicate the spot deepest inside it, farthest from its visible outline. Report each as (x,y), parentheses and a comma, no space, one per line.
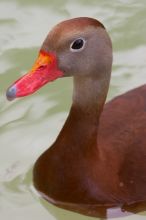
(78,47)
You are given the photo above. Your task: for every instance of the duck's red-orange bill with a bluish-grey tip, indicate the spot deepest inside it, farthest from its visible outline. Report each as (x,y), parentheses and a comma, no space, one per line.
(44,70)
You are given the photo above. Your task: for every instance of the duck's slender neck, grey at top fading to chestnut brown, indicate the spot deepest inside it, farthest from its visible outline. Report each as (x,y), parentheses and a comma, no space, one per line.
(81,126)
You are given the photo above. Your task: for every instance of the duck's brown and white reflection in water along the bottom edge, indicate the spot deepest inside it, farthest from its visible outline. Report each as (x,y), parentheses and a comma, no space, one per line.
(103,213)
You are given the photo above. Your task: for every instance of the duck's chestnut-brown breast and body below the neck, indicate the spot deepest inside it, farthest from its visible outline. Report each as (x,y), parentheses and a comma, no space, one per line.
(113,173)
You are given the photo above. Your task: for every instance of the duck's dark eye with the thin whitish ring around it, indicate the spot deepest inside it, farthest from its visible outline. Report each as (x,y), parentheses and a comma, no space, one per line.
(77,45)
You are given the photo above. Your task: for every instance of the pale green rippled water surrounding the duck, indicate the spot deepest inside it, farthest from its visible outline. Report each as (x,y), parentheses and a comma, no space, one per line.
(29,125)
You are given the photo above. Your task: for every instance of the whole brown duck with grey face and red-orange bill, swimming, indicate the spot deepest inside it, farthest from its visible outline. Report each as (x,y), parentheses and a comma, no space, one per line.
(99,158)
